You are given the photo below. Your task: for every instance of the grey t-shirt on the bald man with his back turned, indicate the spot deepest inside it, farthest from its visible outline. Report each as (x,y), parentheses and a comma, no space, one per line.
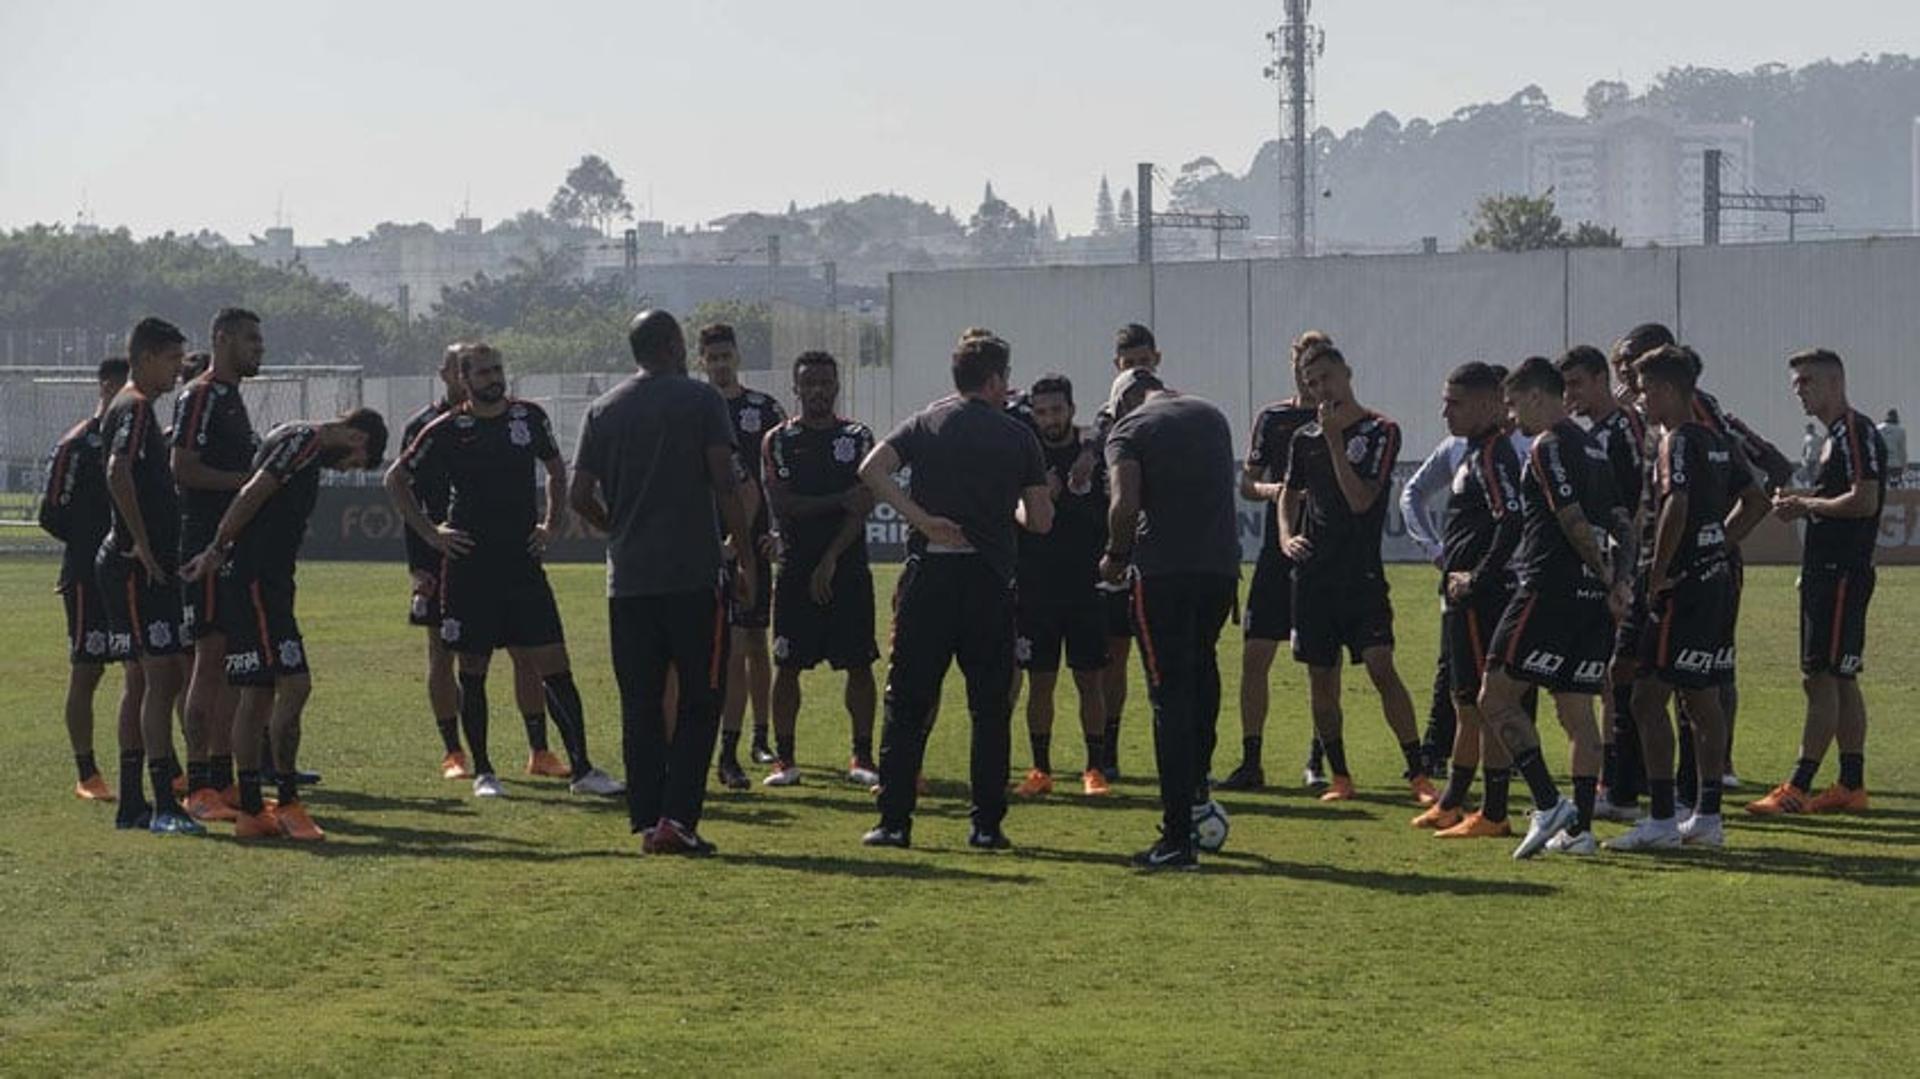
(646,443)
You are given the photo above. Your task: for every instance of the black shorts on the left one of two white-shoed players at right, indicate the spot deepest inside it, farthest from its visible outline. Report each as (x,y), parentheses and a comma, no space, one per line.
(1558,640)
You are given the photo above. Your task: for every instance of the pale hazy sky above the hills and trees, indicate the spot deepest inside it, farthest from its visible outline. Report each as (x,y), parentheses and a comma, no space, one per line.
(204,114)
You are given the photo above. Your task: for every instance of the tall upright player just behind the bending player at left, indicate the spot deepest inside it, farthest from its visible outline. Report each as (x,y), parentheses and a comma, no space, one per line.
(214,448)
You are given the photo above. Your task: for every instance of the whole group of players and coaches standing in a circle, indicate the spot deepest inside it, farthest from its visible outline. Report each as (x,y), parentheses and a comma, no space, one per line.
(1577,562)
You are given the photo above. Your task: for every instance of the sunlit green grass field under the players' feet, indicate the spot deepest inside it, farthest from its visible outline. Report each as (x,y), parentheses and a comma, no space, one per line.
(433,934)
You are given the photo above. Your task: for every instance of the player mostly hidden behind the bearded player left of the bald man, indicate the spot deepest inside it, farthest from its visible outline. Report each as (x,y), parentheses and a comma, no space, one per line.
(423,567)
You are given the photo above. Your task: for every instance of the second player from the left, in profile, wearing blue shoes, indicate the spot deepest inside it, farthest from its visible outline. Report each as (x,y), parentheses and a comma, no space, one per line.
(137,565)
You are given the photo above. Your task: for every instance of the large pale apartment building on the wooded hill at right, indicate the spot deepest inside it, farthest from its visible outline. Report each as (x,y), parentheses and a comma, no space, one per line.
(1639,172)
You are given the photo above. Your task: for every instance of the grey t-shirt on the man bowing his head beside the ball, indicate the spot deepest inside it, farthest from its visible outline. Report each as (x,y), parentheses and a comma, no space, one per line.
(1188,514)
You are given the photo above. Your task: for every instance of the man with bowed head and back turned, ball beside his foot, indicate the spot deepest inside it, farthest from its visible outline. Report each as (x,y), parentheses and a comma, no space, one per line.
(1170,462)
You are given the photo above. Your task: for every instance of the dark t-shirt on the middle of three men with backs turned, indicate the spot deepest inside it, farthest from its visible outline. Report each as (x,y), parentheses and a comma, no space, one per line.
(971,464)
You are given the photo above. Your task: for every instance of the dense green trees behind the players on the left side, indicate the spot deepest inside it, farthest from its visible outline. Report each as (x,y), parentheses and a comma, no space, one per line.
(540,316)
